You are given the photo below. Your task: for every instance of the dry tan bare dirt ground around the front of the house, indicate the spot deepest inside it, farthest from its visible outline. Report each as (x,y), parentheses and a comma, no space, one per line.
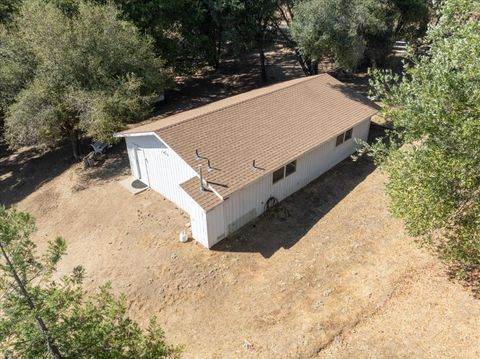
(338,278)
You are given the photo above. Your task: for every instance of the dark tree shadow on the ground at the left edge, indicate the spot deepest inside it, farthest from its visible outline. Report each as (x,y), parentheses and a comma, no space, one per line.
(25,170)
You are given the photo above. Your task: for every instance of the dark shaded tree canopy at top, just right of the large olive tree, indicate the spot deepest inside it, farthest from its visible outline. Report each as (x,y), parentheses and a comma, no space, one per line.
(184,31)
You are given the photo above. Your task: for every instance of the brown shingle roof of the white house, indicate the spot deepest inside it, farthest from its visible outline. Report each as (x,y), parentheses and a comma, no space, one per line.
(272,125)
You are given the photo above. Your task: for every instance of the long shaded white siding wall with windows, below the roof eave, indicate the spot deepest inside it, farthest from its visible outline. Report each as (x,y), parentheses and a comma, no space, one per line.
(243,206)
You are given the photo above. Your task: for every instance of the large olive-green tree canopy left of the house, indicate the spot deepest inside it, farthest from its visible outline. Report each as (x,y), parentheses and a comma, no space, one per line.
(82,71)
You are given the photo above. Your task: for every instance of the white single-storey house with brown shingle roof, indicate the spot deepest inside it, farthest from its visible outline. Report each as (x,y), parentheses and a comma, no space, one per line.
(222,162)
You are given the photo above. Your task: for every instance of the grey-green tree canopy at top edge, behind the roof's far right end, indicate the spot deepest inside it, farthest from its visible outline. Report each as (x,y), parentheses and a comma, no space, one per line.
(350,31)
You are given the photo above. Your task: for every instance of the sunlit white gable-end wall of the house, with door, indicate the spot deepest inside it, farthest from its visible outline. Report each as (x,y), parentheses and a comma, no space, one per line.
(166,171)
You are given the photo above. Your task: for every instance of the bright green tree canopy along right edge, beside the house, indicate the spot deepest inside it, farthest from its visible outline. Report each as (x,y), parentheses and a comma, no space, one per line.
(432,160)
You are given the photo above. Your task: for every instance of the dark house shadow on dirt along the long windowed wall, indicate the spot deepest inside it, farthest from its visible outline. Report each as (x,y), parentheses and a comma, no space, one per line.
(305,207)
